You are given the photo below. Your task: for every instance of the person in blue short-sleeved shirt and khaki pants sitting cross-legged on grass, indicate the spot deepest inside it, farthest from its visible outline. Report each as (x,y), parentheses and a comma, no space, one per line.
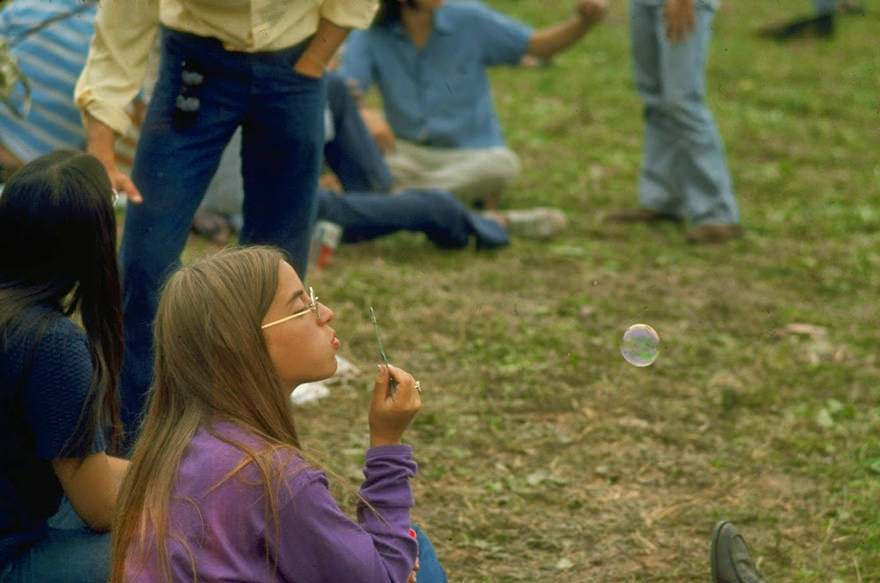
(429,61)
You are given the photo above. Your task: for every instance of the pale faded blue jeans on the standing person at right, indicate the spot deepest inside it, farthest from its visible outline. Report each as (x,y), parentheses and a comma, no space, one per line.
(684,172)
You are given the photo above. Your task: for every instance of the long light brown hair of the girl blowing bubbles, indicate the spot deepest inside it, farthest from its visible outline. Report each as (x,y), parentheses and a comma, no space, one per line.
(211,363)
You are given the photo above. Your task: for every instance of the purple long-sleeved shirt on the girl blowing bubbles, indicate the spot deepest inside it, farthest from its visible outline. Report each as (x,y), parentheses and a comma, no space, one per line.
(227,532)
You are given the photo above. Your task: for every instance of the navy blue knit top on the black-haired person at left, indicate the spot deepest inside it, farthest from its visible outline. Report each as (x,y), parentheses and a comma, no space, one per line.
(44,383)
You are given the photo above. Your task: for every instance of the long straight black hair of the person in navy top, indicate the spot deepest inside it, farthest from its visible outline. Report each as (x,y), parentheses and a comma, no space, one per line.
(58,248)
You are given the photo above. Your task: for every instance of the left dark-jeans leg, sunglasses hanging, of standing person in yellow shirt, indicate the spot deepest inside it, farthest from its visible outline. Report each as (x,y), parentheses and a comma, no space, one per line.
(172,168)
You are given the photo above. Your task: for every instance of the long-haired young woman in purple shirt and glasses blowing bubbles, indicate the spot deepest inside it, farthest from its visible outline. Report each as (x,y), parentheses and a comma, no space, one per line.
(219,489)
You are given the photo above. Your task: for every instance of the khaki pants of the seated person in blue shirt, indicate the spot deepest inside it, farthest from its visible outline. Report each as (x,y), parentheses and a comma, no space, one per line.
(473,175)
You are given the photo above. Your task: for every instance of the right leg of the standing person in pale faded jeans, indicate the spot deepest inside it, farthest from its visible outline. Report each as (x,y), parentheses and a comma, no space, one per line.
(700,168)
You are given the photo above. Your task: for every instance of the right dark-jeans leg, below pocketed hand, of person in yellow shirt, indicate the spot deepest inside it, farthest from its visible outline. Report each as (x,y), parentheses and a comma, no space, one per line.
(282,142)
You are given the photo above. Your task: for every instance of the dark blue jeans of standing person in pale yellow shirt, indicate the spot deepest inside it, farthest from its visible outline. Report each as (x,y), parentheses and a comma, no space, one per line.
(280,113)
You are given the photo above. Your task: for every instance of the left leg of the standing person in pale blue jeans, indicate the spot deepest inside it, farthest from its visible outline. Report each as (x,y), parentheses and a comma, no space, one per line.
(657,189)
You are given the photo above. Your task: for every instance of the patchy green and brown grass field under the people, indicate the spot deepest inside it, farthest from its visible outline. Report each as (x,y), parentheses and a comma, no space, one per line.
(543,454)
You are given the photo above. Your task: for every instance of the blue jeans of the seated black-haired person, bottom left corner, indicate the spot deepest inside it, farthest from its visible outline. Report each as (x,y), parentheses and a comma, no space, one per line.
(70,553)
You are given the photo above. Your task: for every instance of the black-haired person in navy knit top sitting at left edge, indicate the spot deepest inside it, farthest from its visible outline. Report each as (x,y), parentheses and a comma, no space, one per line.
(57,378)
